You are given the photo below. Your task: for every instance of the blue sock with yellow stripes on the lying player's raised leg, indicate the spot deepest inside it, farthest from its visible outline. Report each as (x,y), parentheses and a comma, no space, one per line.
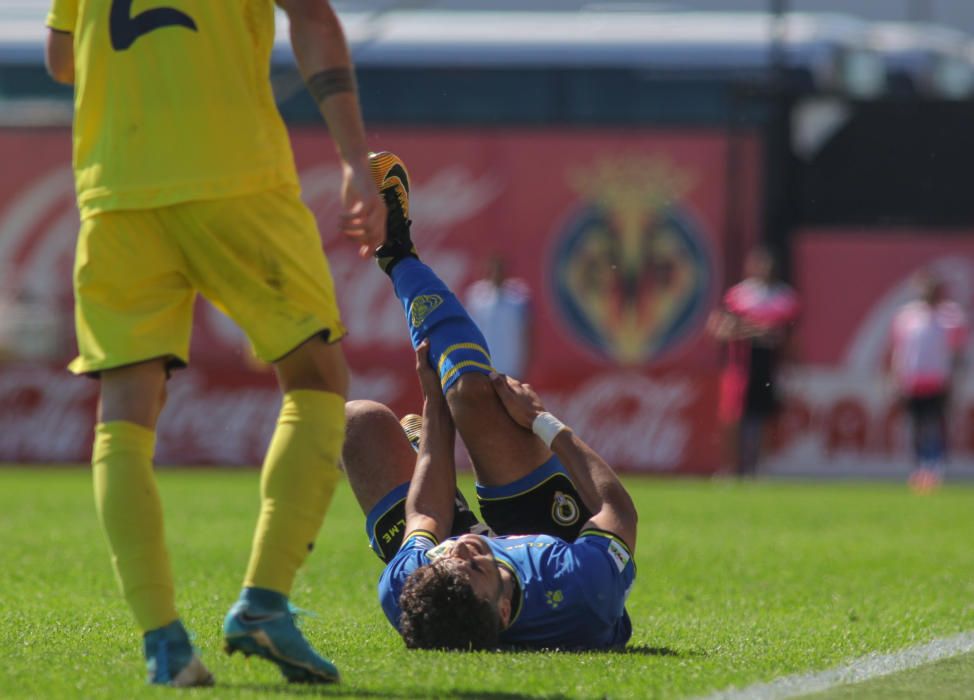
(432,311)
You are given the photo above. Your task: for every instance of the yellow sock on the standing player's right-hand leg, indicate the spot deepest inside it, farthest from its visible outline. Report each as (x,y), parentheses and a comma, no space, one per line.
(296,485)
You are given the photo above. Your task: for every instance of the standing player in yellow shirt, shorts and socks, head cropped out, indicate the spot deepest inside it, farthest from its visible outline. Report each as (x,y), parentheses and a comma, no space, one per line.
(186,184)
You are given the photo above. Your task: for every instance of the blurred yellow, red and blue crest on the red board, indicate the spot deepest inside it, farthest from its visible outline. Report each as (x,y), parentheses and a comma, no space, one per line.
(631,269)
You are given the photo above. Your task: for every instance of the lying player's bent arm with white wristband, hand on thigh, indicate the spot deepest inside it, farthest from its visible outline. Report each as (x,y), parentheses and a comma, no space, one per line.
(597,484)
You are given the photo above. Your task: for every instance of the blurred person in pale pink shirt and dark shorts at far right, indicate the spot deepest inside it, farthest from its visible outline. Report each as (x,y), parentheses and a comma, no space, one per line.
(926,348)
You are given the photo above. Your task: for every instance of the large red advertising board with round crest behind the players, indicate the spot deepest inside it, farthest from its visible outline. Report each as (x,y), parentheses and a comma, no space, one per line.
(620,234)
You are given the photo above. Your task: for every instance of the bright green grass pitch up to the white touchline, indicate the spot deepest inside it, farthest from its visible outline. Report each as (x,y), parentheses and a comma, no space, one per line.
(737,583)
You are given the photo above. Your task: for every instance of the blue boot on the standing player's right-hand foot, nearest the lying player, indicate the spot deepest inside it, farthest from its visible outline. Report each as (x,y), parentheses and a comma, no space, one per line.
(272,635)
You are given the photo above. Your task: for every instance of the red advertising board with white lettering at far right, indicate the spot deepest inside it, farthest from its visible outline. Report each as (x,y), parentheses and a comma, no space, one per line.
(842,413)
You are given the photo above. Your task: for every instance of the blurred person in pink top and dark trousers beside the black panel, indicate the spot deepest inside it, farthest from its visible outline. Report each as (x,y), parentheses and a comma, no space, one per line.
(754,323)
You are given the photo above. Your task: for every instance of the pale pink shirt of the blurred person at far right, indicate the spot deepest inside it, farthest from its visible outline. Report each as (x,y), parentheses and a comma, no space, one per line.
(925,341)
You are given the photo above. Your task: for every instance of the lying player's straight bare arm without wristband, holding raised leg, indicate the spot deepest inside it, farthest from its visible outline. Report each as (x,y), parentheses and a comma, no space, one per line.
(429,503)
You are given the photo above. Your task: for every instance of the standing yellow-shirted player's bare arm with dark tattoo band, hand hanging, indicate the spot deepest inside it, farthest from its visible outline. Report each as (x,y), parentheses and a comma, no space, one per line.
(322,54)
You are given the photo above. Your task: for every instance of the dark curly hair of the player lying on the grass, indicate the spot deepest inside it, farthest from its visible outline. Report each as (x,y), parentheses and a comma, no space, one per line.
(440,611)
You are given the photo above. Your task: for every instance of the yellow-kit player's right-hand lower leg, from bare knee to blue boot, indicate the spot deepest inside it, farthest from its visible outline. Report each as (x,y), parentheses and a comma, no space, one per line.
(298,479)
